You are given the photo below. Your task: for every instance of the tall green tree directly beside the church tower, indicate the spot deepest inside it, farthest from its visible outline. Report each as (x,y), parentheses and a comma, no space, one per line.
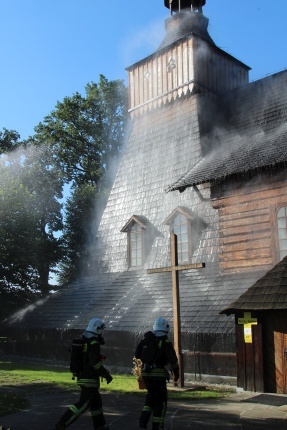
(85,135)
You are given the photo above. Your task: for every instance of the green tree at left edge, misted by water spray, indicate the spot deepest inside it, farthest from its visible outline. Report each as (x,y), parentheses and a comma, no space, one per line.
(30,214)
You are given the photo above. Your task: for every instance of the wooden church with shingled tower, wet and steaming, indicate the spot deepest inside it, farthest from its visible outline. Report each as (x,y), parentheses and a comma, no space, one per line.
(204,160)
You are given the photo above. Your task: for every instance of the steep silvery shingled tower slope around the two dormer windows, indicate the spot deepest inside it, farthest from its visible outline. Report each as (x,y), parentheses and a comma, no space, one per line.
(162,145)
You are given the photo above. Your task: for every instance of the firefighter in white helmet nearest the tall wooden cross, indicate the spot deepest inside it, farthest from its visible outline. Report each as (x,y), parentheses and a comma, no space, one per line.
(155,373)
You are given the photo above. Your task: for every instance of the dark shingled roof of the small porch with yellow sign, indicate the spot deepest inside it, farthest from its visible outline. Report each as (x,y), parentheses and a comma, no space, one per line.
(269,292)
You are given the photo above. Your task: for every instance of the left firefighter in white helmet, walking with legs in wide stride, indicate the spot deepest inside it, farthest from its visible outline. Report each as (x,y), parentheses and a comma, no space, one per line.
(88,378)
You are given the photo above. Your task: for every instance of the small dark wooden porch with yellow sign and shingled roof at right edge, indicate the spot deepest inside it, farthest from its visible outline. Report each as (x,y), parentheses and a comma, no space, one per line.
(261,333)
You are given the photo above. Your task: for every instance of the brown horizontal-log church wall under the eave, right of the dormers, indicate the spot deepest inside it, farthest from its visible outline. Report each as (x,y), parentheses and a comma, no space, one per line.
(247,212)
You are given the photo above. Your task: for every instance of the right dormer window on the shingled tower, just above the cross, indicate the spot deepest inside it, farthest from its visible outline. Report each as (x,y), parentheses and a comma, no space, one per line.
(188,227)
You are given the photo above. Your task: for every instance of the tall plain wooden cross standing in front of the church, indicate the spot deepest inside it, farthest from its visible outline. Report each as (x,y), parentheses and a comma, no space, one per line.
(174,269)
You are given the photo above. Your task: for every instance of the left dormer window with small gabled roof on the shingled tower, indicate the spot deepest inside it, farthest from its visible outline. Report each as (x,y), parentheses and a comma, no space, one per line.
(140,237)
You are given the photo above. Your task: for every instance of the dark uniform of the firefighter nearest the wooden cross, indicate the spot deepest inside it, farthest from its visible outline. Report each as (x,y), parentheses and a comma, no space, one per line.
(155,378)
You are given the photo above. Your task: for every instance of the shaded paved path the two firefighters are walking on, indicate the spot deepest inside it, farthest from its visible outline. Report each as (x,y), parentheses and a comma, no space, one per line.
(240,411)
